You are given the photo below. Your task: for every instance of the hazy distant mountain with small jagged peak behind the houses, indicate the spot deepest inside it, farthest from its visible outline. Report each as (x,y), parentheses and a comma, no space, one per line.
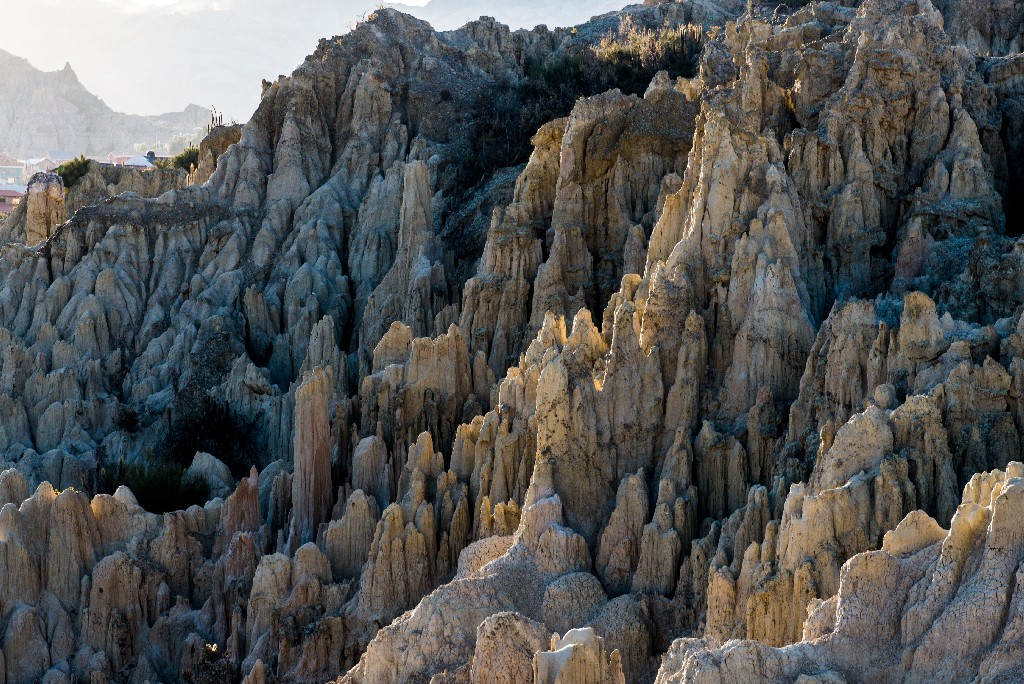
(41,112)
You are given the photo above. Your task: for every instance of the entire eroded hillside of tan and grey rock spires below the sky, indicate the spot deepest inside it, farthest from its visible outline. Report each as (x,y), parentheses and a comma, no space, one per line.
(722,383)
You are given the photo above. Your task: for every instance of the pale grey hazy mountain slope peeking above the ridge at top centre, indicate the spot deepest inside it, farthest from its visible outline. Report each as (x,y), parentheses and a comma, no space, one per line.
(448,15)
